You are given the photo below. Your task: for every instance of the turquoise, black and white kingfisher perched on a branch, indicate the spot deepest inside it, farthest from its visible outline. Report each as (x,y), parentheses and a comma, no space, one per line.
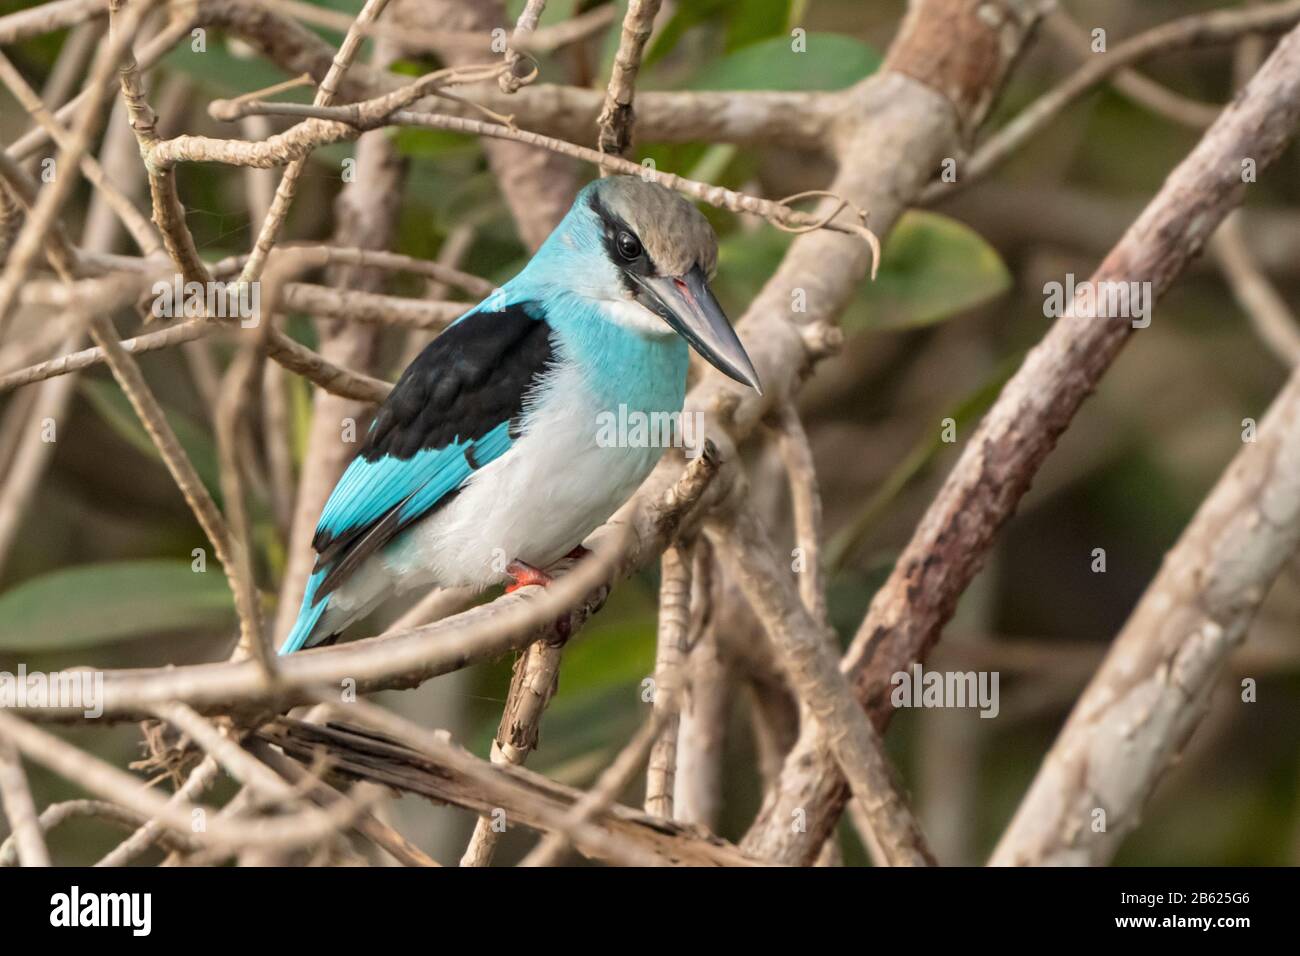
(486,466)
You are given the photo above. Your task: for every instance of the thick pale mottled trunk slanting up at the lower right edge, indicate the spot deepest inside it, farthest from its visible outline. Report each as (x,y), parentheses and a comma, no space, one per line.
(1156,684)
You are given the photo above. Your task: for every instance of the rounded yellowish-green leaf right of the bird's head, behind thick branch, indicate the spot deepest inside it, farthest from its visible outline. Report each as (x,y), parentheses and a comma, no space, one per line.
(933,269)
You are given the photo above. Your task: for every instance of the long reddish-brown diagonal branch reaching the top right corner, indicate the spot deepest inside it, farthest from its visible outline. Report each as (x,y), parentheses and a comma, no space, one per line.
(1035,408)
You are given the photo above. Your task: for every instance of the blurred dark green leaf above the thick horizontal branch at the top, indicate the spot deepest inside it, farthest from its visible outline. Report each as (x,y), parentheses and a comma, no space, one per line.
(830,63)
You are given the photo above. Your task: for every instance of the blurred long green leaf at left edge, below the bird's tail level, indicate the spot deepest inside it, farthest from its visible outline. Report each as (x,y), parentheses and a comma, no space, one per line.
(97,604)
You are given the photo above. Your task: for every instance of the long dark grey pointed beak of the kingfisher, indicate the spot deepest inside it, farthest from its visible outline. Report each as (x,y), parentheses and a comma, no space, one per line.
(690,308)
